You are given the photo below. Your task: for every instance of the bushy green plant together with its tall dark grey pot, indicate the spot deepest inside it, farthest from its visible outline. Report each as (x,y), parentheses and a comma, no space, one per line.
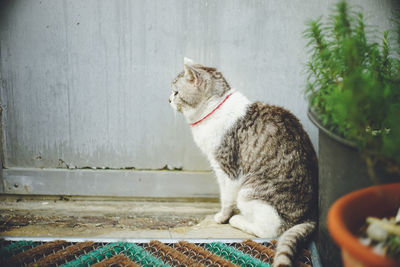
(353,88)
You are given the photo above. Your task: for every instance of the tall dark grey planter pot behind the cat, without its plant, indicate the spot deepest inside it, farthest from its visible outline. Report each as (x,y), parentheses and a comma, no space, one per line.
(341,171)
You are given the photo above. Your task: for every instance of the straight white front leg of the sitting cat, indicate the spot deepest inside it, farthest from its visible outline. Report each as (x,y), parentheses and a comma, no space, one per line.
(228,194)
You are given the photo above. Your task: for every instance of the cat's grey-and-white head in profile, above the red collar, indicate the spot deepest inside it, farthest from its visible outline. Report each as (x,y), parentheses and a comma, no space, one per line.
(194,87)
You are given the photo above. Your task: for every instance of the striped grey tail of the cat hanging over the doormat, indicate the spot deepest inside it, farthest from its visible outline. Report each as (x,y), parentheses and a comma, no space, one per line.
(289,241)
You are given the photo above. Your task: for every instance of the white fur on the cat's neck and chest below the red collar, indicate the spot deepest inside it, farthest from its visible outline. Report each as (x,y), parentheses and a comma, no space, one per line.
(209,133)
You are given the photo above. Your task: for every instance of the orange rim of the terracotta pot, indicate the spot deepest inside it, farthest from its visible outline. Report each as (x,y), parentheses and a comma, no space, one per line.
(343,236)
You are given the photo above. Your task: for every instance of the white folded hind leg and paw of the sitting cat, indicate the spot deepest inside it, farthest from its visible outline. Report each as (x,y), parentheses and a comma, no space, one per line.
(256,217)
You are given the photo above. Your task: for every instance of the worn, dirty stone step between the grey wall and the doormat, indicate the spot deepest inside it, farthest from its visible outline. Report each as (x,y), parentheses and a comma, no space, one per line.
(111,218)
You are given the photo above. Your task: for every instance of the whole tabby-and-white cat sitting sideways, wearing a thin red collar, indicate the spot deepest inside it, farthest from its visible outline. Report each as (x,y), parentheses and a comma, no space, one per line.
(263,159)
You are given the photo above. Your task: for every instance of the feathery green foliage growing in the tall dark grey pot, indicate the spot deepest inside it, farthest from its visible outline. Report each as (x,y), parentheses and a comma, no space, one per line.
(353,83)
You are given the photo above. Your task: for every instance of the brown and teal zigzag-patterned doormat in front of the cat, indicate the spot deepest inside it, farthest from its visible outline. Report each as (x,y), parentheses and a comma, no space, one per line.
(151,253)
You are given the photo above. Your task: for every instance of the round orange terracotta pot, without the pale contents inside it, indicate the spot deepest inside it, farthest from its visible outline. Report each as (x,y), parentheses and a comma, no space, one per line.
(348,214)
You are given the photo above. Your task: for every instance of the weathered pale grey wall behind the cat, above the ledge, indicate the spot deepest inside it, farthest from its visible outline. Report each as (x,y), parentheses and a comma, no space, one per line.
(87,82)
